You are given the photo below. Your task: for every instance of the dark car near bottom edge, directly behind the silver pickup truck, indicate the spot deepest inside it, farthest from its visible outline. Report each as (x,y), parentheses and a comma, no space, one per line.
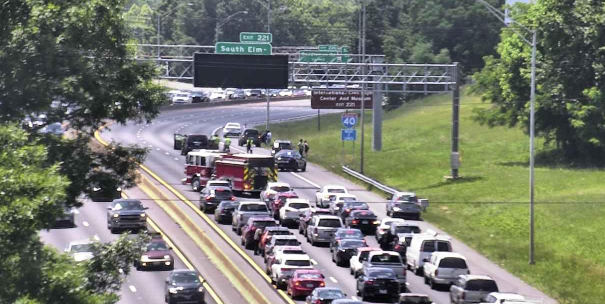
(377,282)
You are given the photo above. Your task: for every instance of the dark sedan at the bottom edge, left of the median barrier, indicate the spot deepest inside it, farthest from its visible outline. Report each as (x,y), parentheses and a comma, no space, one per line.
(183,286)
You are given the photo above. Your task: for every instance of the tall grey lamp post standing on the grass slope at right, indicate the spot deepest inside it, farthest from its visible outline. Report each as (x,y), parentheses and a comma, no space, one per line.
(506,20)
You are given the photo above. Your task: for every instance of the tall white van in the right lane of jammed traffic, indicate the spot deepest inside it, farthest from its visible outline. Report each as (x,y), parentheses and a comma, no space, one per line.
(422,246)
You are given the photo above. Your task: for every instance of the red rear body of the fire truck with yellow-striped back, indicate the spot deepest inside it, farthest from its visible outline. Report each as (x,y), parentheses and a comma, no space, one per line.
(246,172)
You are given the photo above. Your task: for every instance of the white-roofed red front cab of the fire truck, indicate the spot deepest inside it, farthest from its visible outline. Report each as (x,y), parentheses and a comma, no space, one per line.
(199,167)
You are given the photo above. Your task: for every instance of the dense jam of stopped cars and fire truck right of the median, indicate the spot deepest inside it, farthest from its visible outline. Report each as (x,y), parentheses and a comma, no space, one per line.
(272,228)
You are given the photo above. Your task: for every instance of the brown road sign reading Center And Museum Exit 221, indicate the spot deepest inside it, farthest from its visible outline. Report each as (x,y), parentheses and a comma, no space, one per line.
(329,99)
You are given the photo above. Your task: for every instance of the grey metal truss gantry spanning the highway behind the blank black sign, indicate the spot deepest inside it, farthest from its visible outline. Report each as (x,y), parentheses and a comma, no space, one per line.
(376,75)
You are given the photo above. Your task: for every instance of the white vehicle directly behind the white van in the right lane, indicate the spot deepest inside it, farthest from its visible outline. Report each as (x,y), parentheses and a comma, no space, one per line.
(443,268)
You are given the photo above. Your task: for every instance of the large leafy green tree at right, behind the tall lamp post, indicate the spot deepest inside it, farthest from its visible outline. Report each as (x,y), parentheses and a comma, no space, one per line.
(570,103)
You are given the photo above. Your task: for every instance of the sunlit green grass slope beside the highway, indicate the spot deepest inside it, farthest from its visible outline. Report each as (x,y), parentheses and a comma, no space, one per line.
(487,208)
